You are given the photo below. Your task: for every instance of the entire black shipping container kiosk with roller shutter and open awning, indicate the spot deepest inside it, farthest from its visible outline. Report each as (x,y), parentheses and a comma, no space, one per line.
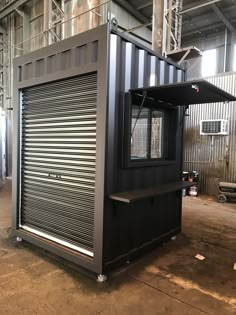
(98,142)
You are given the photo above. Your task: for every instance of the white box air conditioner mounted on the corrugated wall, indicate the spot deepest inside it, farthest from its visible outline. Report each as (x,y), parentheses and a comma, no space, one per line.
(214,127)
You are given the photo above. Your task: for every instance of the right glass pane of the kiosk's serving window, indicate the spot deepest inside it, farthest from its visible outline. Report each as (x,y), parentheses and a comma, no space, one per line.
(157,135)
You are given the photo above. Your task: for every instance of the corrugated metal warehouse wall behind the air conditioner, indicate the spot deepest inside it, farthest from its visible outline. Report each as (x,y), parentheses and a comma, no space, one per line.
(214,157)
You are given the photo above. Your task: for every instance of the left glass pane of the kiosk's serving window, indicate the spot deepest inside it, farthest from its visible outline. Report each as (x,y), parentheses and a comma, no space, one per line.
(139,133)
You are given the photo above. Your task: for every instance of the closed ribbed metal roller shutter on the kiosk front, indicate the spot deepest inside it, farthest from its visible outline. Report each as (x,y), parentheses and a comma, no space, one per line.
(59,159)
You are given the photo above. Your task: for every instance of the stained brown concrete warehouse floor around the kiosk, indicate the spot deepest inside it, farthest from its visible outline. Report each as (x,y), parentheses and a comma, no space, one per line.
(170,280)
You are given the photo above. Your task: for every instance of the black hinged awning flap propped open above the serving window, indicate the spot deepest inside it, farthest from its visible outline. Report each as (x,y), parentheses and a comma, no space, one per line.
(185,93)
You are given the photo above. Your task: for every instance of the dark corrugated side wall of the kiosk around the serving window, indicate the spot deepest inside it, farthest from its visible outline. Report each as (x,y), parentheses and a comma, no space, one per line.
(128,228)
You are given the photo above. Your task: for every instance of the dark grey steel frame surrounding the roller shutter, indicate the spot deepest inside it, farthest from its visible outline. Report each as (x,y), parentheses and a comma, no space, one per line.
(83,53)
